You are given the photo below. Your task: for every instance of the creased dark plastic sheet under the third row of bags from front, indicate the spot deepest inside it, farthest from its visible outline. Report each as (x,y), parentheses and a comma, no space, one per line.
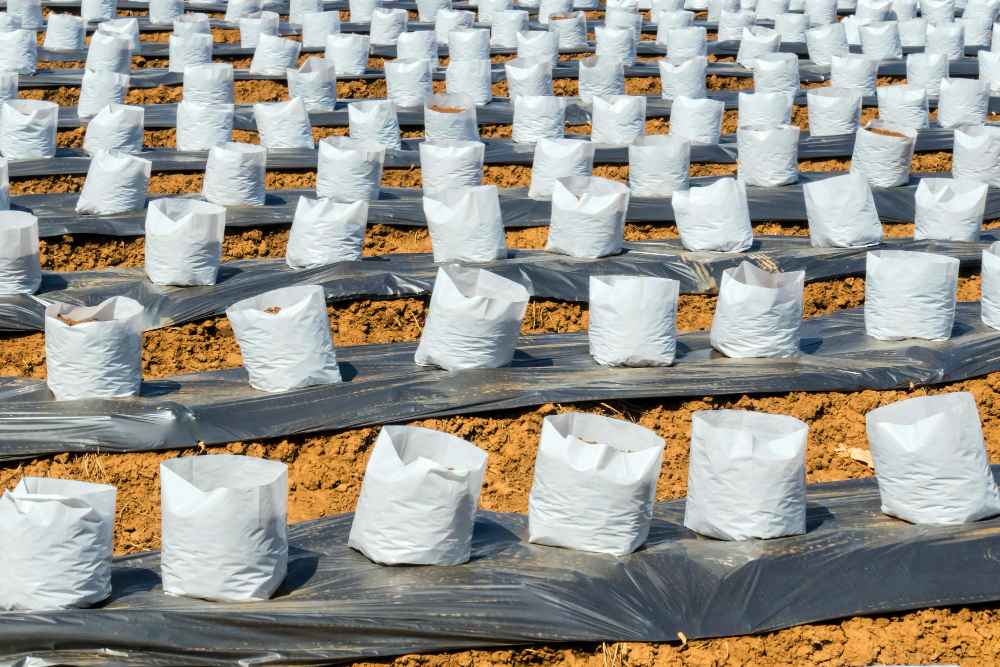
(546,275)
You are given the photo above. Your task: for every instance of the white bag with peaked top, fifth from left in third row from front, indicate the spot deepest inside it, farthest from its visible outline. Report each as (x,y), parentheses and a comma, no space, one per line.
(588,217)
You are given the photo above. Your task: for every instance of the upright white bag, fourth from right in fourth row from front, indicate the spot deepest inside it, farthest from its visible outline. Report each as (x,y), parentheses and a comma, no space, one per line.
(658,165)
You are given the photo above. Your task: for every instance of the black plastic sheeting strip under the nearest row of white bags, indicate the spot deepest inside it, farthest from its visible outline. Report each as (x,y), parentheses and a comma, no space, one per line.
(335,605)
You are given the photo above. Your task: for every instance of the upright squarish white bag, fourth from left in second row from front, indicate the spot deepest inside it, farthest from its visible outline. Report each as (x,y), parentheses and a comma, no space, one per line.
(633,320)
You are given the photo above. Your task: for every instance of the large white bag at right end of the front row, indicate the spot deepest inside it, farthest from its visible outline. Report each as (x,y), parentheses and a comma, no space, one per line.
(930,460)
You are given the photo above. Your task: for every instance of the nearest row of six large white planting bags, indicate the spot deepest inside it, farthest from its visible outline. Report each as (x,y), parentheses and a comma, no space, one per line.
(224,517)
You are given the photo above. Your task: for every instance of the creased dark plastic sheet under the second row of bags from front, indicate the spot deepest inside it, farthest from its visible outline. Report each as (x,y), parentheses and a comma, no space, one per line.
(383,385)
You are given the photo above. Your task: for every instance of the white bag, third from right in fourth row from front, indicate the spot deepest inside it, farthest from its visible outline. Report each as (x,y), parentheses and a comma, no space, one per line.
(768,155)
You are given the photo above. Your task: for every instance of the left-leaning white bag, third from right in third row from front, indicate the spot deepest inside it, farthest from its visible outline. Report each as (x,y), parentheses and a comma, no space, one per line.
(714,217)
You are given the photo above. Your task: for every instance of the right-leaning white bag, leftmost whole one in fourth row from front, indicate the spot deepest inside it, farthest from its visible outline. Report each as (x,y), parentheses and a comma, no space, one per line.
(116,183)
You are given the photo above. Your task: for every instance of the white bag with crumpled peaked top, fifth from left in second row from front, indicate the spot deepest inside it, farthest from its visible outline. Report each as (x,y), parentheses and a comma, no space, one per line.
(758,313)
